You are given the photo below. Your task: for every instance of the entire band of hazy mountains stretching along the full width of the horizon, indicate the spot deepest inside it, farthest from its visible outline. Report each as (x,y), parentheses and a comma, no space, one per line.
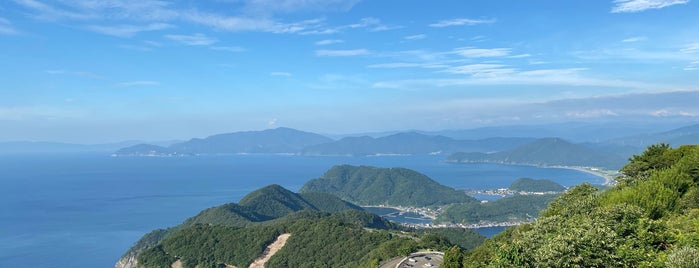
(506,144)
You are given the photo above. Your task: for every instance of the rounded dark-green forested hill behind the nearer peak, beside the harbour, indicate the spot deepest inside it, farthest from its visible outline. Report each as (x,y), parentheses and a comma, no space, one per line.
(385,186)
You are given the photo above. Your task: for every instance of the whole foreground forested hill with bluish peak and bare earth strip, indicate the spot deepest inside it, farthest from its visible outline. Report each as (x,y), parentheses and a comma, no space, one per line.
(325,232)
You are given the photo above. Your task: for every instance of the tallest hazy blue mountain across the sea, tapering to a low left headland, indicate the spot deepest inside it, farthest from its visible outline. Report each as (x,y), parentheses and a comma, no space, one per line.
(271,141)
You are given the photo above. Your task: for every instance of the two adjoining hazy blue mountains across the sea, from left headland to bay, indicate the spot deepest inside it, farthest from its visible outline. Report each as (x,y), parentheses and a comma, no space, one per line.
(291,141)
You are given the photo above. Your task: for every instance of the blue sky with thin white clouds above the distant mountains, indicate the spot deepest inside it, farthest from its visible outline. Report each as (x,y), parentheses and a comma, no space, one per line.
(91,71)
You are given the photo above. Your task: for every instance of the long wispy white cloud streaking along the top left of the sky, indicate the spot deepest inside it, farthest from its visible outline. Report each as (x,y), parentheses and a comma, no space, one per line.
(157,11)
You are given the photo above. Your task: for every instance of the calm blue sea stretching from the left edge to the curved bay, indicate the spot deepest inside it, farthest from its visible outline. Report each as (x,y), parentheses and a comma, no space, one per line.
(86,210)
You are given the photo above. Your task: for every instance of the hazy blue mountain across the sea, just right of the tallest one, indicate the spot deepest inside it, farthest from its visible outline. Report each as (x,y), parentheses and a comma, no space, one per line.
(410,143)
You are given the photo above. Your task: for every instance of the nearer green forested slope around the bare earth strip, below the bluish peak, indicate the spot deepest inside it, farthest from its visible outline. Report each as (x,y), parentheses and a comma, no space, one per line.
(340,239)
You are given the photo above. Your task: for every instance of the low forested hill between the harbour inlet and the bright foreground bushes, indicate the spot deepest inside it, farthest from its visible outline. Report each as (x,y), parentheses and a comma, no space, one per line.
(516,208)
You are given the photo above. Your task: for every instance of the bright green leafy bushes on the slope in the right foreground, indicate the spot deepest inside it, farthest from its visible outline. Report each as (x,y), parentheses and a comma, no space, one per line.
(649,219)
